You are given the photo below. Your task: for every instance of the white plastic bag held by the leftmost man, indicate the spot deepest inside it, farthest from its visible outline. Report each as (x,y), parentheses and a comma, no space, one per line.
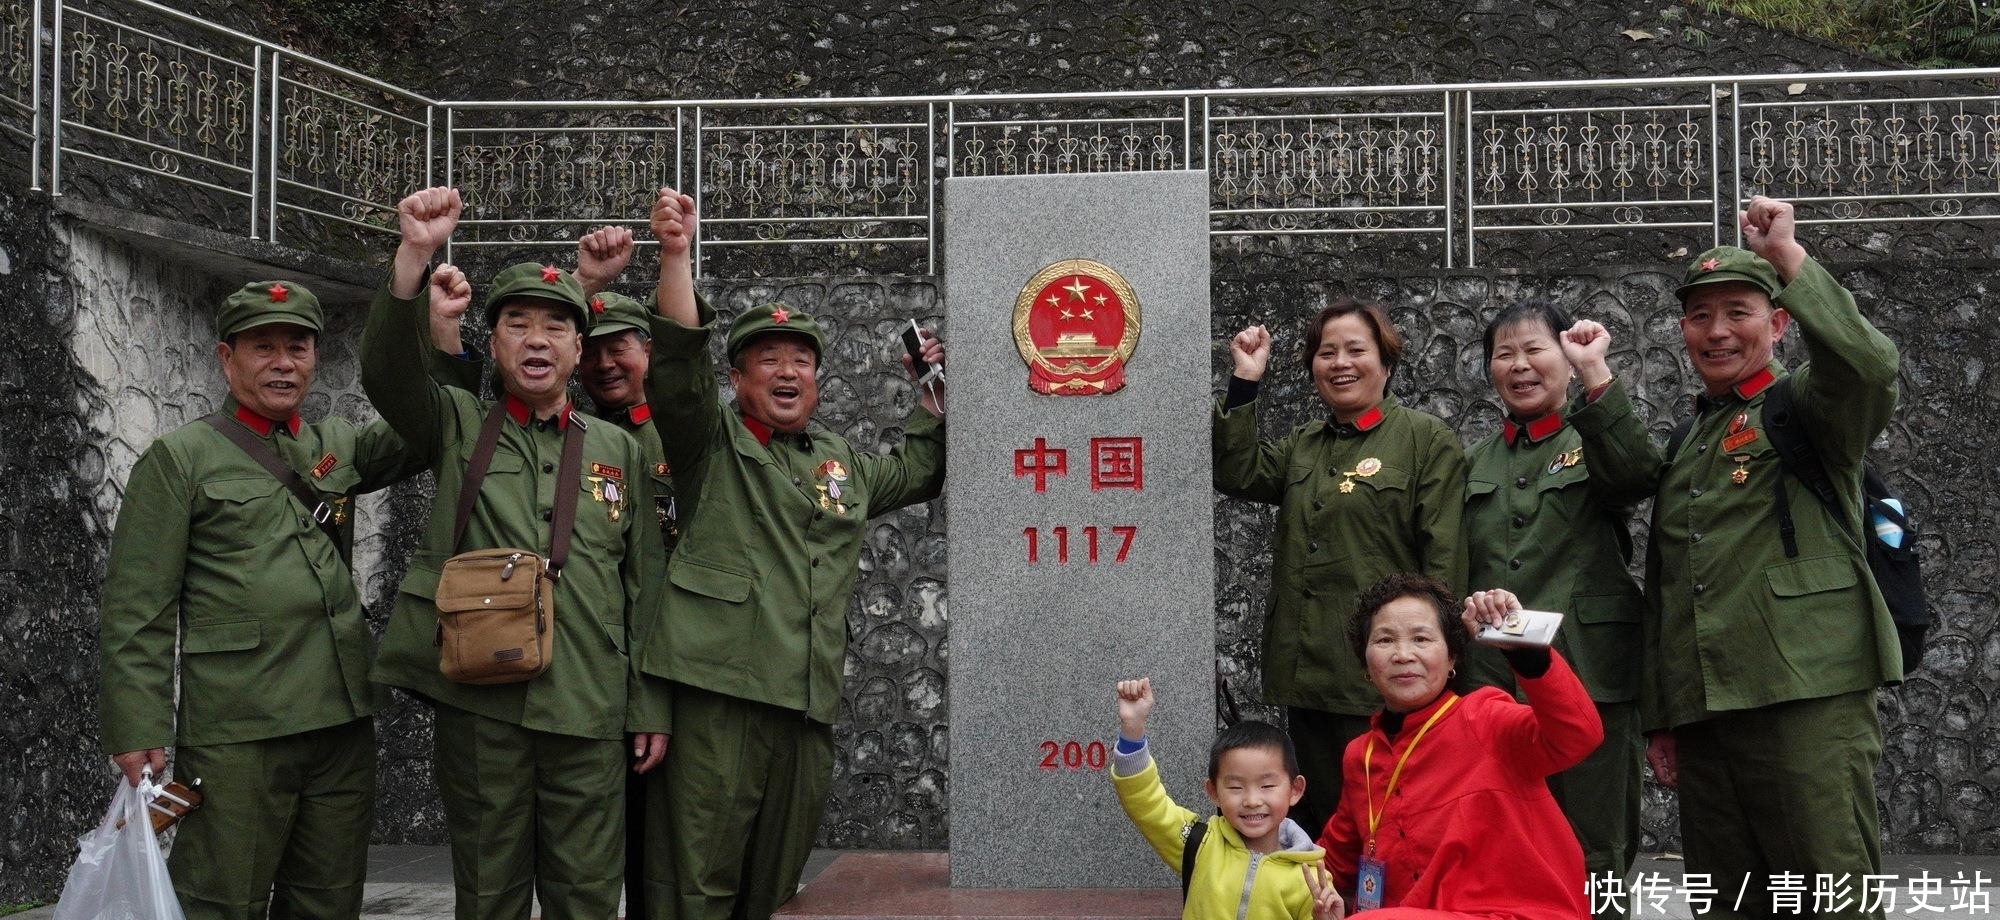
(121,873)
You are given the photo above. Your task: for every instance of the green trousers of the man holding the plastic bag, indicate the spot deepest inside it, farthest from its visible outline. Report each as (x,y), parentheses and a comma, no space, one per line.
(283,827)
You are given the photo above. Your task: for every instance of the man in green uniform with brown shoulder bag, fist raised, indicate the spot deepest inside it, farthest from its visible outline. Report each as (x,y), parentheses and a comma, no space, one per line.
(531,773)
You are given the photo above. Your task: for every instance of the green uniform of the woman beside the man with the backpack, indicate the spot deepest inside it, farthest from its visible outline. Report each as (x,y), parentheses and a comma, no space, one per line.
(1547,519)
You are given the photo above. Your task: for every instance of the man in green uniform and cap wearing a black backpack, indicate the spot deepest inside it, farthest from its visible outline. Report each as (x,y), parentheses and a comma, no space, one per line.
(1761,665)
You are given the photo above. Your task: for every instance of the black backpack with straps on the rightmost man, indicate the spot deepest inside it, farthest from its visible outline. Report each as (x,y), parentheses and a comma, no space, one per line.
(1897,569)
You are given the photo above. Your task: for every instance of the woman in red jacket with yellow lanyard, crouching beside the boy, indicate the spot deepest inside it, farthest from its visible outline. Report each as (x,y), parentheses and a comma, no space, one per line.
(1445,809)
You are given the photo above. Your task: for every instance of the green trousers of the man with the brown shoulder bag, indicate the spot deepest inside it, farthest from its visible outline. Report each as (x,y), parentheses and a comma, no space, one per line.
(531,815)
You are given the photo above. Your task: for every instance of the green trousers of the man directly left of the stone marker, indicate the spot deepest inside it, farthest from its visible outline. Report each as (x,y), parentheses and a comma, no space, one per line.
(733,813)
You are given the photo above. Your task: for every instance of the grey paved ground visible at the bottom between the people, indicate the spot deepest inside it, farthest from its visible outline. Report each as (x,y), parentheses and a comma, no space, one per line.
(415,883)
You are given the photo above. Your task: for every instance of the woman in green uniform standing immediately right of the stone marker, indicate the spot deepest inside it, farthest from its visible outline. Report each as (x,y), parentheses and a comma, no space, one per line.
(1377,489)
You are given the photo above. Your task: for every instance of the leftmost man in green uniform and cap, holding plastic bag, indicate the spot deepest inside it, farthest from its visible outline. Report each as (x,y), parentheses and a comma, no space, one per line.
(275,709)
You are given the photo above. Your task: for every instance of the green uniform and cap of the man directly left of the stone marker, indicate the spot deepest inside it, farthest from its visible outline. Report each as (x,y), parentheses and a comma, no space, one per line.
(759,623)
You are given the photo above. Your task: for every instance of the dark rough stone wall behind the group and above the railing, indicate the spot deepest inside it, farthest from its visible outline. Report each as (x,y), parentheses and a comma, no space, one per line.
(79,413)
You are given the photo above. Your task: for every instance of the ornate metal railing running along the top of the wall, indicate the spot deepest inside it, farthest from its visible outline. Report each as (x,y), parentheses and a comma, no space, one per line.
(1451,175)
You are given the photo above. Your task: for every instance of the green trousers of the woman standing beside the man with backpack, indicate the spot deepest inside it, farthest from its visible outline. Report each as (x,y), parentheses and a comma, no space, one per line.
(1601,797)
